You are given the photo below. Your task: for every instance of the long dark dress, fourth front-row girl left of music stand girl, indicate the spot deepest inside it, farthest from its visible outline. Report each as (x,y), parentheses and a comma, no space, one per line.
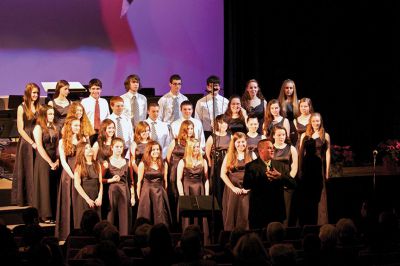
(66,201)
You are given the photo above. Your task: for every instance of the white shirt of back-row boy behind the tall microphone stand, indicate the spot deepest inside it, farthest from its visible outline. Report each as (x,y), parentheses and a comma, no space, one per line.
(204,109)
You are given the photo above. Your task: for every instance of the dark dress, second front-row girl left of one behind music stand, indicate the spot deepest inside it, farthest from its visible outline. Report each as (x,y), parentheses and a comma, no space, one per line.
(120,198)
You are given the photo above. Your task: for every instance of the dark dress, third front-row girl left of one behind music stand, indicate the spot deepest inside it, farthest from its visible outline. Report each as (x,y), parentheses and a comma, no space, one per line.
(90,185)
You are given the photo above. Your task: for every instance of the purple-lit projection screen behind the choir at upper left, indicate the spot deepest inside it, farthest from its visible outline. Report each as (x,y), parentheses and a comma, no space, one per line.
(77,40)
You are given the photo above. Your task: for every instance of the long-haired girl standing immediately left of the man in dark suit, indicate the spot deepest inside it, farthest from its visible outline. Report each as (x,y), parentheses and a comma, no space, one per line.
(235,201)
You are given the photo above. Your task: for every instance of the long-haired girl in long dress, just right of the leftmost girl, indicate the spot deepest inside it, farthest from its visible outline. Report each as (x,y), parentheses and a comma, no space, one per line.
(46,138)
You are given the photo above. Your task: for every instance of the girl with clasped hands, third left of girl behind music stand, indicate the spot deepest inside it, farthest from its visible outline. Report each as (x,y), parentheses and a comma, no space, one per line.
(87,182)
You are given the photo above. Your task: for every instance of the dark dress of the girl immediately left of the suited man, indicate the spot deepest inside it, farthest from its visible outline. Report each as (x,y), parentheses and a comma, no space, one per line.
(235,207)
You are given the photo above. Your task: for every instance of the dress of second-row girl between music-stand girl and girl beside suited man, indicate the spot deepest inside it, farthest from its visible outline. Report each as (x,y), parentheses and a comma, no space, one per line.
(219,149)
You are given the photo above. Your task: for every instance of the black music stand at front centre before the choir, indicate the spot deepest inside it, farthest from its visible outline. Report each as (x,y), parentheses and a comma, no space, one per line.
(197,206)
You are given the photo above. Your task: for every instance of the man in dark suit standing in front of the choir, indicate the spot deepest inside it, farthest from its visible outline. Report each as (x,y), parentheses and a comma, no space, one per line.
(266,178)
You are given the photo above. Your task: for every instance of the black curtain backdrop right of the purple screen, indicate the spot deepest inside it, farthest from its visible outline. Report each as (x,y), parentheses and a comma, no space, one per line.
(344,55)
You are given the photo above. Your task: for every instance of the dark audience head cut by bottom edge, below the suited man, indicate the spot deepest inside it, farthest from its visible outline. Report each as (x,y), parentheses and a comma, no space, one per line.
(282,255)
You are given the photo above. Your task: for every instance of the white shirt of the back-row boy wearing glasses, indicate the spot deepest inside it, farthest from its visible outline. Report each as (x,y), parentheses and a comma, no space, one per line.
(166,113)
